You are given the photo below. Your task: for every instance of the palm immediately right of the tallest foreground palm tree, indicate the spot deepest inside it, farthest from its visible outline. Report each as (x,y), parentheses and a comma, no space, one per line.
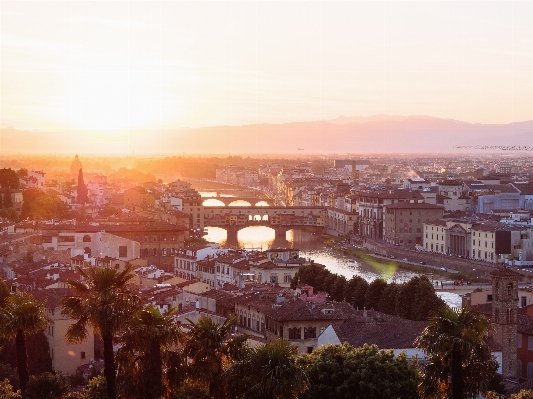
(140,358)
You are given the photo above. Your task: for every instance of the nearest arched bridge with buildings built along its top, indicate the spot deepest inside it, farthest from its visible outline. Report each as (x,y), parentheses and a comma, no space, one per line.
(280,219)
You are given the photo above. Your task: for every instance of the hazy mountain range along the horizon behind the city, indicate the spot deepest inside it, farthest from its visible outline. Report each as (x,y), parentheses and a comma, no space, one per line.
(375,134)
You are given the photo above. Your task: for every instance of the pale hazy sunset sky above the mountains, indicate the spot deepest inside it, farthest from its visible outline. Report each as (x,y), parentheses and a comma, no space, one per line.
(119,65)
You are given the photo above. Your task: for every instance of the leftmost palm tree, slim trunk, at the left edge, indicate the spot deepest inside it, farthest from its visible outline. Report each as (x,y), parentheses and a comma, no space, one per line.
(20,316)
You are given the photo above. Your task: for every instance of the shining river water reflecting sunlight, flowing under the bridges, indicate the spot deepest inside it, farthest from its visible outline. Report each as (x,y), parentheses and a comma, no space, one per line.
(311,247)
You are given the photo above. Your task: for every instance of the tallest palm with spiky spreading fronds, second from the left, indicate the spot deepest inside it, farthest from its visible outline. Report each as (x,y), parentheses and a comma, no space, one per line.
(104,303)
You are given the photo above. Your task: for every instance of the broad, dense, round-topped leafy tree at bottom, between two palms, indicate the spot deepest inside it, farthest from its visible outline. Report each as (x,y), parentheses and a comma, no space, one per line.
(345,372)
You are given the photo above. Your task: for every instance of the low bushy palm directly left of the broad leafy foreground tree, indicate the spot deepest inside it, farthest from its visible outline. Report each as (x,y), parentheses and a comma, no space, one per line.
(269,372)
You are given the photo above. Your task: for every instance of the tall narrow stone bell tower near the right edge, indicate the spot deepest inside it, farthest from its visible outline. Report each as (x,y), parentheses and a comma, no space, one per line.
(504,316)
